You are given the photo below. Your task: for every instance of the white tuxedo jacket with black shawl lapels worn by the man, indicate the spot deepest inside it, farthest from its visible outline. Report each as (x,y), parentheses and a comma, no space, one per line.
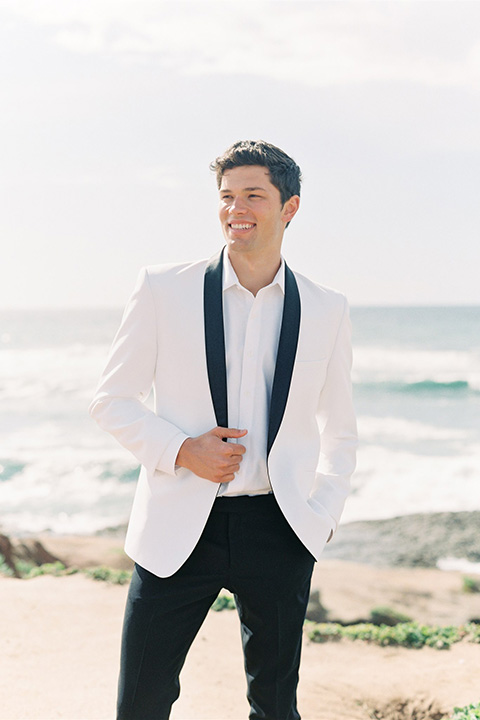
(172,336)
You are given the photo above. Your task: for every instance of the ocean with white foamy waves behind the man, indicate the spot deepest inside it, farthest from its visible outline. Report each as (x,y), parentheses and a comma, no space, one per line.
(417,394)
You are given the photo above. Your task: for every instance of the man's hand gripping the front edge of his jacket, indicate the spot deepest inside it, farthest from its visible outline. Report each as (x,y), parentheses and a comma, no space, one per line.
(209,457)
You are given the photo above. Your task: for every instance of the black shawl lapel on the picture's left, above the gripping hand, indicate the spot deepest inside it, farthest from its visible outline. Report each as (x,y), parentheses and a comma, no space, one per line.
(215,337)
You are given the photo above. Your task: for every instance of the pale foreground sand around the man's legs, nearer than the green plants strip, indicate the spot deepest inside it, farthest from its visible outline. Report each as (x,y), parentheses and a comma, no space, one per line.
(59,658)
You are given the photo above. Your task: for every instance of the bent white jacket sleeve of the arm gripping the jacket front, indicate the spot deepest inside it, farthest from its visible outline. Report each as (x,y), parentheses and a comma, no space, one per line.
(118,405)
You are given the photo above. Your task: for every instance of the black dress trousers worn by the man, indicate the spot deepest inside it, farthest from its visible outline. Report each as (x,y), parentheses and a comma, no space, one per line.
(247,547)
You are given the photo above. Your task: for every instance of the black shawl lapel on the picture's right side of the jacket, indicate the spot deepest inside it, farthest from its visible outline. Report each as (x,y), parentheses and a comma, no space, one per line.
(287,350)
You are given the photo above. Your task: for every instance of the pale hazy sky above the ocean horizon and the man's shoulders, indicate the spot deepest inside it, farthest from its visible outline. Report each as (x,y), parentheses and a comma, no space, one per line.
(112,111)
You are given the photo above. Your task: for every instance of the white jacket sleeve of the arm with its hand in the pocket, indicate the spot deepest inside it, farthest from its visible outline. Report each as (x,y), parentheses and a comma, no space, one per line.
(338,430)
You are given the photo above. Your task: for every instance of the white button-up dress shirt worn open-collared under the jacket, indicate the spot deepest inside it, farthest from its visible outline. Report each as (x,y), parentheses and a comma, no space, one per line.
(252,330)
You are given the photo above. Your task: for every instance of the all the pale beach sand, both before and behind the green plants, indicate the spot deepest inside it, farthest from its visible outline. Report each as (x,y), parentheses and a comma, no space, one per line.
(61,636)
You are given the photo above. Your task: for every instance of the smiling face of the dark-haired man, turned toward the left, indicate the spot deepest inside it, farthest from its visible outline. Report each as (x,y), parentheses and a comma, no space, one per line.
(251,213)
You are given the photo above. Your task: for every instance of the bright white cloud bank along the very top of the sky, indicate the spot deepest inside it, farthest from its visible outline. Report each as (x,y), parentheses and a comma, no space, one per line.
(315,43)
